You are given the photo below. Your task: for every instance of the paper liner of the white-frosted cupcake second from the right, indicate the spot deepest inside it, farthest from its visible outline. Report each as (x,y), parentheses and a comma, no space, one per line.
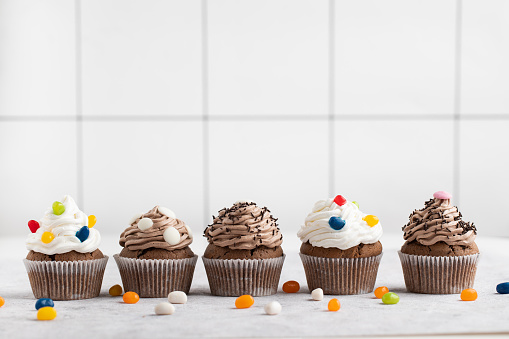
(341,275)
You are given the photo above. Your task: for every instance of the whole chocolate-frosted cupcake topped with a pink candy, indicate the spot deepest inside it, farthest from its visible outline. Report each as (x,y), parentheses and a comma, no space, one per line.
(439,255)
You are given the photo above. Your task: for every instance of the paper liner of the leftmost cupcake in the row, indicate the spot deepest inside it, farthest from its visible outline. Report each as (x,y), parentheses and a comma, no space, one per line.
(66,280)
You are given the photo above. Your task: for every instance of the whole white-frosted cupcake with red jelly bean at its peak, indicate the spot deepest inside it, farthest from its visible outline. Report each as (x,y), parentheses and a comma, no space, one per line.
(340,248)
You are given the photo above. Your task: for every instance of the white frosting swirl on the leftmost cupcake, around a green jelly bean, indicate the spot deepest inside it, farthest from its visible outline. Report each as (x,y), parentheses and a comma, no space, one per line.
(64,228)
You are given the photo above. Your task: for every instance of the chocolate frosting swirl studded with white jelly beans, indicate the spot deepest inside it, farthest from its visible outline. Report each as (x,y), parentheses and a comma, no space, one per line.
(133,238)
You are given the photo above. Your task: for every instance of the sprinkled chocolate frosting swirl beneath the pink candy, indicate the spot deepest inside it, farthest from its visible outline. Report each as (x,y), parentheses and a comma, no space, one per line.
(439,221)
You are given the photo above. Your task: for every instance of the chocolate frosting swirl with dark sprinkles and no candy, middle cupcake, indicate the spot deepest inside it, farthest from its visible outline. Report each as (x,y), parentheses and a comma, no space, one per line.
(244,226)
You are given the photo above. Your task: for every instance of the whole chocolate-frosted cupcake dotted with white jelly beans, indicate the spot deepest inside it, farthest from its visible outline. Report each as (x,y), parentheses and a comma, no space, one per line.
(156,258)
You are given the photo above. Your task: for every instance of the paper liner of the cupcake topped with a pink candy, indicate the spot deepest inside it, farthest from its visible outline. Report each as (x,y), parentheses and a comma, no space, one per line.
(438,275)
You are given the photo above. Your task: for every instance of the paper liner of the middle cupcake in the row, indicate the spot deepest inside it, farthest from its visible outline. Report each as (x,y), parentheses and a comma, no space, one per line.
(236,277)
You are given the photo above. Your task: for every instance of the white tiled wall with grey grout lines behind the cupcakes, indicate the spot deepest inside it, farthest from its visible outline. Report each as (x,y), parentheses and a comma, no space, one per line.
(194,104)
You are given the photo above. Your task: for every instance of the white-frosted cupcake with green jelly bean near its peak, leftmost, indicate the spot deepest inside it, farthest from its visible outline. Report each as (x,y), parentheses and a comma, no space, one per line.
(64,262)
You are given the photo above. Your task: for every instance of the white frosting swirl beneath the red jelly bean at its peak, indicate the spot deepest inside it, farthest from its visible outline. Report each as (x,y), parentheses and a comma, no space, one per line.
(318,232)
